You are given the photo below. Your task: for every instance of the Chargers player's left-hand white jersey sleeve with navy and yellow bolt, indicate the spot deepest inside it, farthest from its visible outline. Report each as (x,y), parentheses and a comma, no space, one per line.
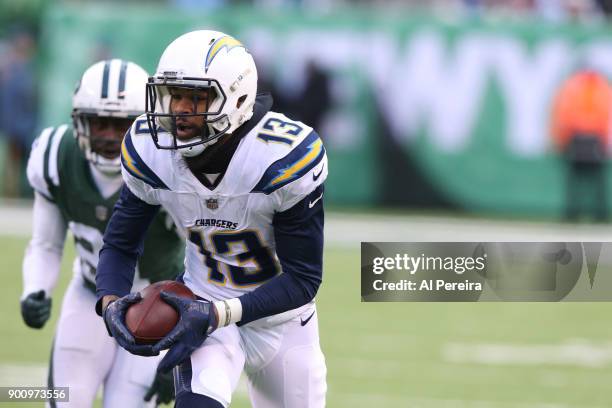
(138,176)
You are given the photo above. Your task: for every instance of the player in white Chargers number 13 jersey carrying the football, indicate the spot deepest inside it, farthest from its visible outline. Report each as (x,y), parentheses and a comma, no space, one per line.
(246,186)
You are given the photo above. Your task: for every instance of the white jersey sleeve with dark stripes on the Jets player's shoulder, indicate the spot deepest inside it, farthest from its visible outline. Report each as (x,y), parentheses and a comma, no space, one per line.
(42,169)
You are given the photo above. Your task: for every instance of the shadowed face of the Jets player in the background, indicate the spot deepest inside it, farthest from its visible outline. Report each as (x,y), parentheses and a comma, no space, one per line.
(107,135)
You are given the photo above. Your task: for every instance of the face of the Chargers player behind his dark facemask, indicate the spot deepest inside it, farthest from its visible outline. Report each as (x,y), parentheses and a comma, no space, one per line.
(189,101)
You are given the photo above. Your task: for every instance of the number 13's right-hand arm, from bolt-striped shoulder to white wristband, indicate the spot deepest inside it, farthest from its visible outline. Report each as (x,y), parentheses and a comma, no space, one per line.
(295,183)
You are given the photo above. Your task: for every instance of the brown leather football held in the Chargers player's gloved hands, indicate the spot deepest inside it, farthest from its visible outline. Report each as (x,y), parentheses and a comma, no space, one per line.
(152,318)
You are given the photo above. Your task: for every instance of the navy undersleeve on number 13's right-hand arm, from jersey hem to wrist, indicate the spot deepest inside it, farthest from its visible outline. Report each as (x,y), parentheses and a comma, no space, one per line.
(298,233)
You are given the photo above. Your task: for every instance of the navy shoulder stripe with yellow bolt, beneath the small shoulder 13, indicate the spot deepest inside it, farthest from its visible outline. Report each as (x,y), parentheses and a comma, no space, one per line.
(298,162)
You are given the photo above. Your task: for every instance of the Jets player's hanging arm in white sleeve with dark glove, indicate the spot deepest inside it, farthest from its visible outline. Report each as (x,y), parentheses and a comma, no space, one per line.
(42,261)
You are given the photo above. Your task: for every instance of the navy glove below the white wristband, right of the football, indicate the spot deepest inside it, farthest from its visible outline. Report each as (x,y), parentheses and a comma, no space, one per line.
(197,319)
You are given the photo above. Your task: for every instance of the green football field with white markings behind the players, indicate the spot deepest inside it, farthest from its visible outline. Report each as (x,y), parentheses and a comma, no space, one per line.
(485,355)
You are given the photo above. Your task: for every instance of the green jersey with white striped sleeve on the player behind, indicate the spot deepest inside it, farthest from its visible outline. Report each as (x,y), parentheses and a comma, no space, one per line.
(59,171)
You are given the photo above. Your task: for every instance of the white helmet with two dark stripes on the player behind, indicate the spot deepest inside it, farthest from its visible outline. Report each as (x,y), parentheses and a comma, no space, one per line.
(114,89)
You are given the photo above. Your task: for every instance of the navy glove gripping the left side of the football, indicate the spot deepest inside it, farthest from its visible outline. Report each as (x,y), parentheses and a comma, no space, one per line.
(114,318)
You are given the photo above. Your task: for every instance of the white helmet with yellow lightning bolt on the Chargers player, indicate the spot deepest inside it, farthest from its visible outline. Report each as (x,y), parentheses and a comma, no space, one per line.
(203,60)
